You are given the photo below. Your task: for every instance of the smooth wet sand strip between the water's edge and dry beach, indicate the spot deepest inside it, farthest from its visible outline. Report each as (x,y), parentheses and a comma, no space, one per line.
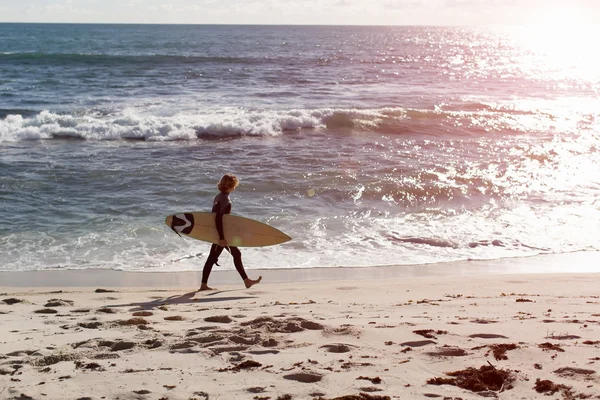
(578,262)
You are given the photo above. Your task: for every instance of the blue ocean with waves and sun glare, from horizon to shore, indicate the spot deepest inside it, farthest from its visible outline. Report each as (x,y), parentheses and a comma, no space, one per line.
(369,146)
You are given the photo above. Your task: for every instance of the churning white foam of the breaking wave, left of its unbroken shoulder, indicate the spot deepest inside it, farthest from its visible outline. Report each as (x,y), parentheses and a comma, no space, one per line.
(133,124)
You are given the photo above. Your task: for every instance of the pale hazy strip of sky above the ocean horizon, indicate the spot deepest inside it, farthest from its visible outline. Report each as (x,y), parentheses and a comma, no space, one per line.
(306,12)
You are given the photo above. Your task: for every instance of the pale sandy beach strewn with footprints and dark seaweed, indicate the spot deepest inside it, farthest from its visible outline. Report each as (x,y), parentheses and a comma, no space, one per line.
(457,335)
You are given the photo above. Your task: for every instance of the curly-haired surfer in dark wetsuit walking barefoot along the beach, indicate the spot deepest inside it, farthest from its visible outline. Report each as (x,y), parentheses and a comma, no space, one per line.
(222,206)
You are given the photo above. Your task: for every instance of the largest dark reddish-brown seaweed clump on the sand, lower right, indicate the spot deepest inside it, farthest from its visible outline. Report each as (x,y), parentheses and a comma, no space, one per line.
(486,378)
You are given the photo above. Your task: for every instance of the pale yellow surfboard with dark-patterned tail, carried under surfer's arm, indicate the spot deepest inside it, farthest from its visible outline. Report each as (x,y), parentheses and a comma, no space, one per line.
(239,231)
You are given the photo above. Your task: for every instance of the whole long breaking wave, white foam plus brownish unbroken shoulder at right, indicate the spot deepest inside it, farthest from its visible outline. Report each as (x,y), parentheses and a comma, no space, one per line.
(132,124)
